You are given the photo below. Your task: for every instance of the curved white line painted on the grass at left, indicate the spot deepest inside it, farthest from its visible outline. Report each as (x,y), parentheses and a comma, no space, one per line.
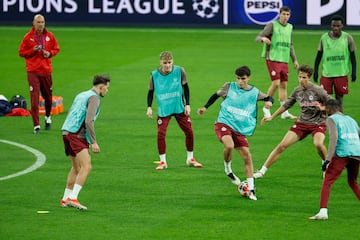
(40,160)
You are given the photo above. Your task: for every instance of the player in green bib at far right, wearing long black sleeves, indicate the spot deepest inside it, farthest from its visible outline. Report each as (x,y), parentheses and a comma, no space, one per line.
(336,50)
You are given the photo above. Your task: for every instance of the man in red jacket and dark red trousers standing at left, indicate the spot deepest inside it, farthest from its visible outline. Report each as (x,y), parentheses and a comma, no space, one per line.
(38,47)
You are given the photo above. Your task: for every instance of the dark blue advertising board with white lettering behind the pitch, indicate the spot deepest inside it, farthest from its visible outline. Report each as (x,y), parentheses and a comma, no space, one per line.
(179,12)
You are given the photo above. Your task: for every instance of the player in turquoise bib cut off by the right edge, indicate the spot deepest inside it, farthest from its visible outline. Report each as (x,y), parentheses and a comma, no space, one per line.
(344,151)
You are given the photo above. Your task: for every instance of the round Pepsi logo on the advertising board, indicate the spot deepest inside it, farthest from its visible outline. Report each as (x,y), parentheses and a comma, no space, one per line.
(262,12)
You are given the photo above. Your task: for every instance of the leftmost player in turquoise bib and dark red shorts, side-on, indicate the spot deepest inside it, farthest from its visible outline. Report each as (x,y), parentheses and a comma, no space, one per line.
(78,133)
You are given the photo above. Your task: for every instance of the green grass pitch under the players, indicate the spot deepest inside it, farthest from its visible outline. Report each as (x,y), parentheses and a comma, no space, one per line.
(127,198)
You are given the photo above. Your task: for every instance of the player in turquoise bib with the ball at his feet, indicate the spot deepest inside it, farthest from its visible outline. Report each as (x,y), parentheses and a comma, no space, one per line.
(236,121)
